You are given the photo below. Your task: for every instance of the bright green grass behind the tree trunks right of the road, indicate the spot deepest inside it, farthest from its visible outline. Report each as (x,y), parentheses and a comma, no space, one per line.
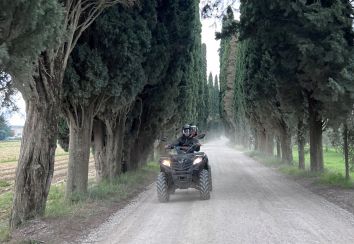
(333,174)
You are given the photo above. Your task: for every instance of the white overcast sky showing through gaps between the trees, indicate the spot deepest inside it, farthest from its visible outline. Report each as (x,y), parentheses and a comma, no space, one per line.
(209,27)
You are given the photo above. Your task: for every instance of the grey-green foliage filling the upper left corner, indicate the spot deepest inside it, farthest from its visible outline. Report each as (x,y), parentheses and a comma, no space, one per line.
(28,28)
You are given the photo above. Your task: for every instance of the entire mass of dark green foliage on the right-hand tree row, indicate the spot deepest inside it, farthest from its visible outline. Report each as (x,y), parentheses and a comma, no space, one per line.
(293,61)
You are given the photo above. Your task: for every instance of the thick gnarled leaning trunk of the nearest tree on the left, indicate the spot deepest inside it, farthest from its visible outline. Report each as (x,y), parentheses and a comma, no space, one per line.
(35,168)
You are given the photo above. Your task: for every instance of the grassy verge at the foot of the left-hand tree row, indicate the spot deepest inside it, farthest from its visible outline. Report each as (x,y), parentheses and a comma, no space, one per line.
(106,193)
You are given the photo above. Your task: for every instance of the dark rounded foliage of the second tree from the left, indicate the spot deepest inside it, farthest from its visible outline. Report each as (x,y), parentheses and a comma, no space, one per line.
(108,60)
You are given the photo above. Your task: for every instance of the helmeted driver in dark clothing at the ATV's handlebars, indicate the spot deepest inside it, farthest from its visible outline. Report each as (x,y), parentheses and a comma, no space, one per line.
(186,141)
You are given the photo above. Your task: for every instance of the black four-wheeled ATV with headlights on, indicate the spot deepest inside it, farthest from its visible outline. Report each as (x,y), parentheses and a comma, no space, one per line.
(183,170)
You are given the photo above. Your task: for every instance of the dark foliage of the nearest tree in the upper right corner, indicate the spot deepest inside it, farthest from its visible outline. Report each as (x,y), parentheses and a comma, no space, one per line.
(307,60)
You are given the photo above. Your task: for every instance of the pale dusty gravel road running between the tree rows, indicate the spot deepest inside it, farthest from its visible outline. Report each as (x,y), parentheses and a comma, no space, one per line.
(249,204)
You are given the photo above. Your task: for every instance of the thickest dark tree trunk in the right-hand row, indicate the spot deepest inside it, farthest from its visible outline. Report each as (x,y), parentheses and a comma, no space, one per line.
(316,150)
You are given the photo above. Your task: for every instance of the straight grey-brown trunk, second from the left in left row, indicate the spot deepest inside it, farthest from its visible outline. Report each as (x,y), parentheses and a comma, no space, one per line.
(79,154)
